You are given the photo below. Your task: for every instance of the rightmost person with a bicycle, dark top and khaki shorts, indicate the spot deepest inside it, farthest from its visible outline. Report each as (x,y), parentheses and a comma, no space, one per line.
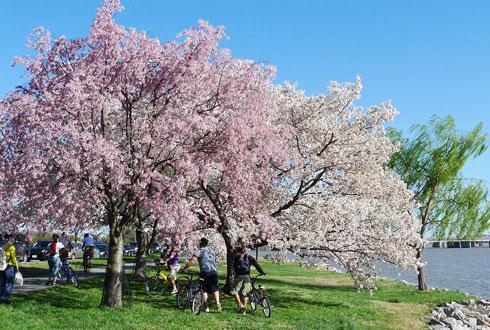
(242,285)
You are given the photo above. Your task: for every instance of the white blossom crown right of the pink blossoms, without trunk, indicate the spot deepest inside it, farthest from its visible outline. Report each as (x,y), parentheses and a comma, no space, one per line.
(337,200)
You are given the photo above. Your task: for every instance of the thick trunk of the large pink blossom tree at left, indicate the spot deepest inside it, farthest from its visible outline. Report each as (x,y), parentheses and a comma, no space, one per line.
(112,296)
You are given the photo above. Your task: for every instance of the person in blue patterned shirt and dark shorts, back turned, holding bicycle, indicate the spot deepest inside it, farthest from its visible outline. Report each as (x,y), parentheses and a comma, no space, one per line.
(208,272)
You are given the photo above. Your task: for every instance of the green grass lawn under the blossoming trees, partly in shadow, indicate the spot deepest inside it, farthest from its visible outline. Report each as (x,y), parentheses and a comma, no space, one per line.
(301,299)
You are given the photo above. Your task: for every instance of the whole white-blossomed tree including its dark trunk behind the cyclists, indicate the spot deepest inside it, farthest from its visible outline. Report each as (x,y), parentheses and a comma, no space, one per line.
(328,194)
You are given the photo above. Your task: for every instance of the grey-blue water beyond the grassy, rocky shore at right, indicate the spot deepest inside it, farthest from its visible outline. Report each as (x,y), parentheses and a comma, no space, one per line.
(466,270)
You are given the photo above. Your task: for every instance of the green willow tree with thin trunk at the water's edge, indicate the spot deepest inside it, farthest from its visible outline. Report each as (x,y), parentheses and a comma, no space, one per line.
(430,162)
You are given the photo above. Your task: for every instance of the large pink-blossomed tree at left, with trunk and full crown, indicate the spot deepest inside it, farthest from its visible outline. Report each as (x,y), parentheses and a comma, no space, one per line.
(116,127)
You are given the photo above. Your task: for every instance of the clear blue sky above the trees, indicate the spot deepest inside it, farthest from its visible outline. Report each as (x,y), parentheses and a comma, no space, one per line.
(427,57)
